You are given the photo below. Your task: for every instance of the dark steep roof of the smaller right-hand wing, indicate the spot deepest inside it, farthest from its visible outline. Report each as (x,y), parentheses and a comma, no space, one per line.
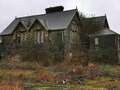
(92,24)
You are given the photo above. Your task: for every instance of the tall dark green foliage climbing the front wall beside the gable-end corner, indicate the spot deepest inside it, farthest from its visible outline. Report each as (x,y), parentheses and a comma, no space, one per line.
(56,47)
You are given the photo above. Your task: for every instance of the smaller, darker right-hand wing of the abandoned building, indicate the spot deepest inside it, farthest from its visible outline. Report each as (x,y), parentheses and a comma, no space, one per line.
(102,38)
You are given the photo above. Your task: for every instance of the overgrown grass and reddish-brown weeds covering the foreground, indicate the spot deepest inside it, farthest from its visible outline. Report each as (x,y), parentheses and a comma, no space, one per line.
(46,75)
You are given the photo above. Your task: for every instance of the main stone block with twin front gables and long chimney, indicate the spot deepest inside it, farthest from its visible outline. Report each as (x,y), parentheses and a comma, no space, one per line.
(54,26)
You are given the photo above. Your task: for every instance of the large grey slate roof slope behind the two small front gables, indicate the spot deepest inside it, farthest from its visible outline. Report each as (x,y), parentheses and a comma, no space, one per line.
(51,21)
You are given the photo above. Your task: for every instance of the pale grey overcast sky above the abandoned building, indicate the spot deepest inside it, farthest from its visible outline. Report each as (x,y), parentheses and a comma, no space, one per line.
(17,8)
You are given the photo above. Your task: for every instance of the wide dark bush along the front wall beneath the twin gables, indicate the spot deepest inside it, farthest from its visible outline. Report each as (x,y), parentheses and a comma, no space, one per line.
(39,53)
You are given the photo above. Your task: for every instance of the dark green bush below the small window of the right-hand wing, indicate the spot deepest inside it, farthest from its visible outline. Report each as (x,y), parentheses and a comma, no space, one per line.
(103,56)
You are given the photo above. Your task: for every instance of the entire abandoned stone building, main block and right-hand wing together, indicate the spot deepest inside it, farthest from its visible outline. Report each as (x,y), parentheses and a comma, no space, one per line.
(64,27)
